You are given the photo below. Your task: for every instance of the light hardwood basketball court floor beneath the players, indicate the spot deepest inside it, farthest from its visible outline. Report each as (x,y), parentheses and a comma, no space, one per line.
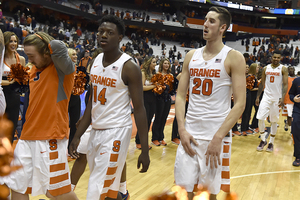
(254,175)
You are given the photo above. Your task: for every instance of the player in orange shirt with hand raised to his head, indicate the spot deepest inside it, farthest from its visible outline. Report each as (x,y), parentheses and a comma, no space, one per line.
(42,148)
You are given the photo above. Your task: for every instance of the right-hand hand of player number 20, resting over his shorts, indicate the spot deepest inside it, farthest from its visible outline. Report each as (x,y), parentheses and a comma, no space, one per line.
(213,152)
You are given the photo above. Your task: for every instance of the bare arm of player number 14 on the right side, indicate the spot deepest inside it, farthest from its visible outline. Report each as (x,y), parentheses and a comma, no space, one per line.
(131,75)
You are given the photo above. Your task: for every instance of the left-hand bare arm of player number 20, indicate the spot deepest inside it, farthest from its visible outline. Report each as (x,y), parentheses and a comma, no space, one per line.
(180,102)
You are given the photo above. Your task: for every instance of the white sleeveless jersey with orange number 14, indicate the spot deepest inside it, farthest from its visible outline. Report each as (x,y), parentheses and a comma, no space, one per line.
(111,100)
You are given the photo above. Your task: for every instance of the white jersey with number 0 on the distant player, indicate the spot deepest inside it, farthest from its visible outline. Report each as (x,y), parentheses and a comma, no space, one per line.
(273,83)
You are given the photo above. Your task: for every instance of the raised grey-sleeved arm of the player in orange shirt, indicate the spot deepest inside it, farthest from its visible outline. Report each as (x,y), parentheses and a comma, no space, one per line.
(60,57)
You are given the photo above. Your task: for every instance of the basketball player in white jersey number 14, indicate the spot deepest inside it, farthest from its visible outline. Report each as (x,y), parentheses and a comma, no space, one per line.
(114,76)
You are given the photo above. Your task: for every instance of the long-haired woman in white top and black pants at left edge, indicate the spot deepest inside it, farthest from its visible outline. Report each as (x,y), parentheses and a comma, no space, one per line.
(12,97)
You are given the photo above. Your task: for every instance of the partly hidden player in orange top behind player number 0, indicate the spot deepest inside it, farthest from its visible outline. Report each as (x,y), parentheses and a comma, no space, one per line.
(288,104)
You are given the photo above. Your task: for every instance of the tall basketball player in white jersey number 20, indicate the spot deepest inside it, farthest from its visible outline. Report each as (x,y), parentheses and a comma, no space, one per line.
(211,73)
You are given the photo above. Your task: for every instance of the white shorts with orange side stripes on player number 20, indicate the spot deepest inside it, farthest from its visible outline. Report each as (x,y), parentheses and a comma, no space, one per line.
(191,171)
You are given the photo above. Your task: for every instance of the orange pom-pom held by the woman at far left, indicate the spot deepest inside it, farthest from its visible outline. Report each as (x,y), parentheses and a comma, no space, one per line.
(19,73)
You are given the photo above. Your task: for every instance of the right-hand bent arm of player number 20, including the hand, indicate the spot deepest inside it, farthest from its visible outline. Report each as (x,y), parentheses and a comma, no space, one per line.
(237,67)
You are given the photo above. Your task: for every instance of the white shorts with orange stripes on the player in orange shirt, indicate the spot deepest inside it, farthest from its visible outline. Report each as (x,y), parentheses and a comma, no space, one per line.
(45,168)
